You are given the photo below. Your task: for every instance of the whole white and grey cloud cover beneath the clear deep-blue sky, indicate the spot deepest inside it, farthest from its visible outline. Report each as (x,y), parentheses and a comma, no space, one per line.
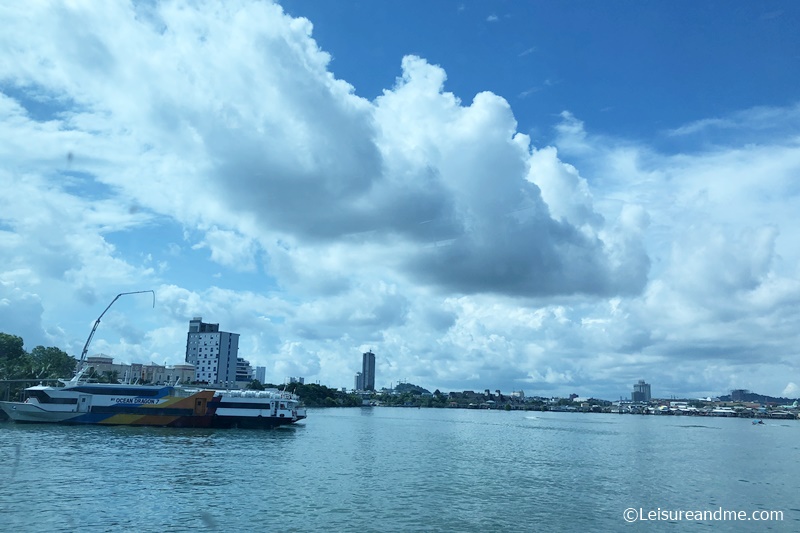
(422,226)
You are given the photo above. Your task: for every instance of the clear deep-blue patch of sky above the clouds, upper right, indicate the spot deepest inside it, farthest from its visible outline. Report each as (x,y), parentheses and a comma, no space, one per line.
(632,69)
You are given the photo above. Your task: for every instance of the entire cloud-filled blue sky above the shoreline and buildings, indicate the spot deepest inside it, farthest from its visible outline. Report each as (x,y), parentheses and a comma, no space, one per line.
(554,197)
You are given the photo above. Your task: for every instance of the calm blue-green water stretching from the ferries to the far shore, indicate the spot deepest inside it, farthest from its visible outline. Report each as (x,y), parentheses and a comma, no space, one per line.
(394,469)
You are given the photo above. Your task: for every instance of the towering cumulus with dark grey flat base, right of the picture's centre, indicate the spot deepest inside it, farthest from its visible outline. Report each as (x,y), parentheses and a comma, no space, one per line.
(498,234)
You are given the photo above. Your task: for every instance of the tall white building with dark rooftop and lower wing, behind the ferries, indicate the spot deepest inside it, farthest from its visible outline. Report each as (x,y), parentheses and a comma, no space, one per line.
(214,354)
